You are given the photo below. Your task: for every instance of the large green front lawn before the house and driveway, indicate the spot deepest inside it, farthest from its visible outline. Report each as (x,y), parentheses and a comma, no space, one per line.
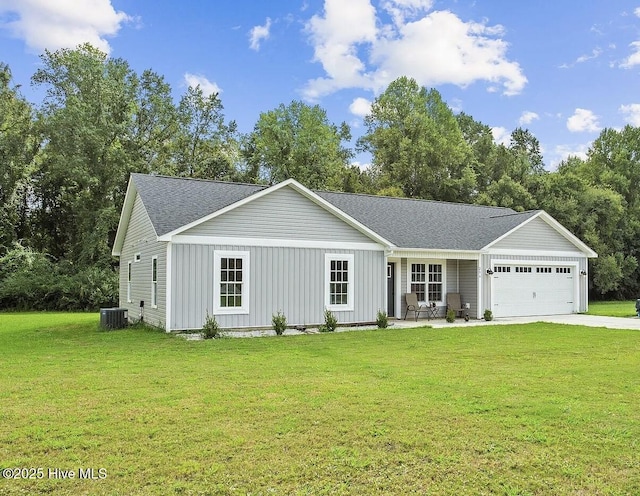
(513,410)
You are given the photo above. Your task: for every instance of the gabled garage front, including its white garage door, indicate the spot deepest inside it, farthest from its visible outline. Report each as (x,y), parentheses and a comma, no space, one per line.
(526,284)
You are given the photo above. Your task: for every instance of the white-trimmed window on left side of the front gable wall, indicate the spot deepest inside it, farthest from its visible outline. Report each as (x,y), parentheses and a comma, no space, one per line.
(231,282)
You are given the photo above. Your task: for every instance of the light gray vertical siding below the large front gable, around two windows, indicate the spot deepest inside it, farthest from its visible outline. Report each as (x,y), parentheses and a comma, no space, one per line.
(291,280)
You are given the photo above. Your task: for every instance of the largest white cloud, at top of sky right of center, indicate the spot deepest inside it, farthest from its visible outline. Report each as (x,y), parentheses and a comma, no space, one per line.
(357,50)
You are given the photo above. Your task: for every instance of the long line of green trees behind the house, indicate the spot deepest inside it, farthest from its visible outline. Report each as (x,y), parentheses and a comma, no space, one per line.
(65,164)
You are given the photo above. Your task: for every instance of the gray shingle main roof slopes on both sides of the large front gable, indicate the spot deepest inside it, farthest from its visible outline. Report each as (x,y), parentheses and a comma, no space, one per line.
(174,202)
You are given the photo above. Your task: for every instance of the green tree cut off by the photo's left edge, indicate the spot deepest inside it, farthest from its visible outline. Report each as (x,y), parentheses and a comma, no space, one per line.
(17,149)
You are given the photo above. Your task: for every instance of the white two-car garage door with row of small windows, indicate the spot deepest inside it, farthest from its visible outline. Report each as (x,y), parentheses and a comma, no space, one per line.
(523,290)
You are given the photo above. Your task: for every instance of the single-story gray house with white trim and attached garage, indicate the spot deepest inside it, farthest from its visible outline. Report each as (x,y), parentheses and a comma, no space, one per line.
(243,252)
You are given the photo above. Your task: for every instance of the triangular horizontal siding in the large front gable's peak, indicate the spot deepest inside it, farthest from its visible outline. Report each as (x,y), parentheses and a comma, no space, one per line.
(283,214)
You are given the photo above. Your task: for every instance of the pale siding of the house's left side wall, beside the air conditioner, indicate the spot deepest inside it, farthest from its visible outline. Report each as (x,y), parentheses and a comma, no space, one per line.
(139,249)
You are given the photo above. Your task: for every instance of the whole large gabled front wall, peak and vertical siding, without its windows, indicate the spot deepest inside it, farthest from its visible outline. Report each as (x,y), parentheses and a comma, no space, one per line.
(287,237)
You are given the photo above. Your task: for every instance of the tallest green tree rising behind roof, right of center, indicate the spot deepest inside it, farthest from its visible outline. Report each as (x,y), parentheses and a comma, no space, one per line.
(417,144)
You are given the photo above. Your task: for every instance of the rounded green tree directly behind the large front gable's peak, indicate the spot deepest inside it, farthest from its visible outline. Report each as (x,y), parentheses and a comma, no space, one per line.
(298,141)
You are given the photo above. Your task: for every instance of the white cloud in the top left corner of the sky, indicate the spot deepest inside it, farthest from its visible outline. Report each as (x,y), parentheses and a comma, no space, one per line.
(62,23)
